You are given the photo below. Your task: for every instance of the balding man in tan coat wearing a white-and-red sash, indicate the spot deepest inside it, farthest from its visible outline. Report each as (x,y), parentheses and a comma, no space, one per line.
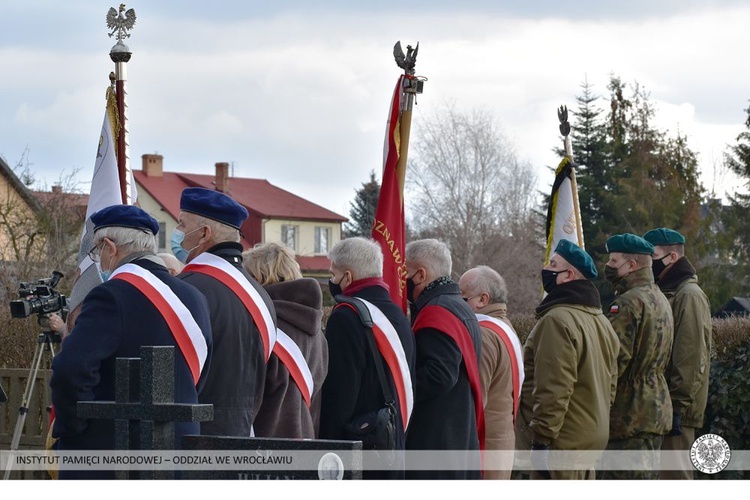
(500,366)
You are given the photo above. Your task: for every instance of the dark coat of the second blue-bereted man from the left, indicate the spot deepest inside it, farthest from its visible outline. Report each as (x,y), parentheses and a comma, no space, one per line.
(238,369)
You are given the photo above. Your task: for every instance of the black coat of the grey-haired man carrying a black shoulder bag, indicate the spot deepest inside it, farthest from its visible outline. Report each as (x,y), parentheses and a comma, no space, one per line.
(352,386)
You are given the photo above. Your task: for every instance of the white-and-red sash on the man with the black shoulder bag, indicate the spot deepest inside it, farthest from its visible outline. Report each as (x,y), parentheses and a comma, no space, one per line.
(390,347)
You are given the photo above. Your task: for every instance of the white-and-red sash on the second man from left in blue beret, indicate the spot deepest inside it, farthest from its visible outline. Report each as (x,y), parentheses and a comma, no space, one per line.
(218,268)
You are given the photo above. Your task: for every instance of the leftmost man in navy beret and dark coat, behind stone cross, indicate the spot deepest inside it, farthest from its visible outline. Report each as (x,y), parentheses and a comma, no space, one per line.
(139,304)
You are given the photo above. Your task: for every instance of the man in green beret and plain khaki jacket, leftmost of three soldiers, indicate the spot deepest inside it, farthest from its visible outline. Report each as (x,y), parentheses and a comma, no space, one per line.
(570,363)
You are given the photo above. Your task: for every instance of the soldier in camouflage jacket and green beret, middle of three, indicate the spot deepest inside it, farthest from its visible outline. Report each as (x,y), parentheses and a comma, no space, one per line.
(642,319)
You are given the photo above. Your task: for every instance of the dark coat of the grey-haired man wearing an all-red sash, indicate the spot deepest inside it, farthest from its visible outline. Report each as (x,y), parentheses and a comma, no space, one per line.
(444,417)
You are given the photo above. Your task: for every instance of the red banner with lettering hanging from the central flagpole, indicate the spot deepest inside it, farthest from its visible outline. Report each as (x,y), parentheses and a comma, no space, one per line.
(389,226)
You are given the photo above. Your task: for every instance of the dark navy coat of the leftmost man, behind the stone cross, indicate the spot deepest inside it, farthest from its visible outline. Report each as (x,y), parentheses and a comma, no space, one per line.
(115,321)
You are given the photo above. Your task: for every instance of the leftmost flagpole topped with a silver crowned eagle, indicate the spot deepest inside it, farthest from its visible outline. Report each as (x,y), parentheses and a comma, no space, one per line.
(120,23)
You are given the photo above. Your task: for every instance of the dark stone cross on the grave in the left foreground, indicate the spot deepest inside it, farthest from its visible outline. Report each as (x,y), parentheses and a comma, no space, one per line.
(144,410)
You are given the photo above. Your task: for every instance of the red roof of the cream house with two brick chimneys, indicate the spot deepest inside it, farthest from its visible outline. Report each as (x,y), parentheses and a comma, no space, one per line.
(257,195)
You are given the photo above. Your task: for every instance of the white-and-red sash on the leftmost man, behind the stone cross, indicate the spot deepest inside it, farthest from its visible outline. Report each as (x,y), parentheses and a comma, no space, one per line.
(183,326)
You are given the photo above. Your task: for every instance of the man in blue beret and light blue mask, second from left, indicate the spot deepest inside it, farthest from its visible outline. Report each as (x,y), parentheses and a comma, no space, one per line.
(243,319)
